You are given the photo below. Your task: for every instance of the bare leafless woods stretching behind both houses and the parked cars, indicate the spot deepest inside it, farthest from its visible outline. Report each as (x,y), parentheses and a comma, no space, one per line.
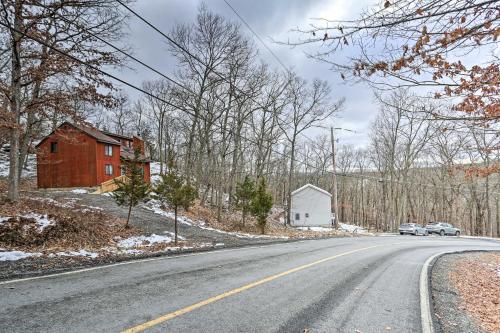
(226,114)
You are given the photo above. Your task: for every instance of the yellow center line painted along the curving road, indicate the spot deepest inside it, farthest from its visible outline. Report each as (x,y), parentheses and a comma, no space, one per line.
(171,315)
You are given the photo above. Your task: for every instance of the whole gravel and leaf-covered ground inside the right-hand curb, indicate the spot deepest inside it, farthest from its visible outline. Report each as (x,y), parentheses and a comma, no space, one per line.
(466,292)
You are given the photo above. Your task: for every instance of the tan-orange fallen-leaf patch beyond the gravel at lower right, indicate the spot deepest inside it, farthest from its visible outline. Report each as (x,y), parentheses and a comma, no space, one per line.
(478,283)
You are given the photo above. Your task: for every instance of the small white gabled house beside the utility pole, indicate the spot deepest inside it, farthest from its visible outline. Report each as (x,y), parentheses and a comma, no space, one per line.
(311,206)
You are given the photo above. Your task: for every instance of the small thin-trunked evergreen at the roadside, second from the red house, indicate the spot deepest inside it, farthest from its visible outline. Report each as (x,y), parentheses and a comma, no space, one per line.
(173,190)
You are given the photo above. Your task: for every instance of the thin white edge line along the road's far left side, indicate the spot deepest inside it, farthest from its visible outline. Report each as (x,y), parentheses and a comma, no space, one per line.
(137,261)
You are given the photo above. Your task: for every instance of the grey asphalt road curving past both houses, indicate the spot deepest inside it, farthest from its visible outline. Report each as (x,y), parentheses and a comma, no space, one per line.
(366,284)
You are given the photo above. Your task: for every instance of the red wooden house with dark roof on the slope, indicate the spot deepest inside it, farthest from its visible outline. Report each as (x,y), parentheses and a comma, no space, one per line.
(82,156)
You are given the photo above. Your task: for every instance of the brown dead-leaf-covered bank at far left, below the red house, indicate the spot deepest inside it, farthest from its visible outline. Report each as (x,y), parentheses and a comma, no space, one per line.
(76,226)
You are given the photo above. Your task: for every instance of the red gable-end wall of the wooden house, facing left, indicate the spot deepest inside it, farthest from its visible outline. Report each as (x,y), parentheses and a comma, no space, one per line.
(74,163)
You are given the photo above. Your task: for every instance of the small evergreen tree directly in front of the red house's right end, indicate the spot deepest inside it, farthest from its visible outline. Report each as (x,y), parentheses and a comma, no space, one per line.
(132,190)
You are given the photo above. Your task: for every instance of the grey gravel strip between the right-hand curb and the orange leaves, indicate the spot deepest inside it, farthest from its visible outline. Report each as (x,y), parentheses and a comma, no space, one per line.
(450,309)
